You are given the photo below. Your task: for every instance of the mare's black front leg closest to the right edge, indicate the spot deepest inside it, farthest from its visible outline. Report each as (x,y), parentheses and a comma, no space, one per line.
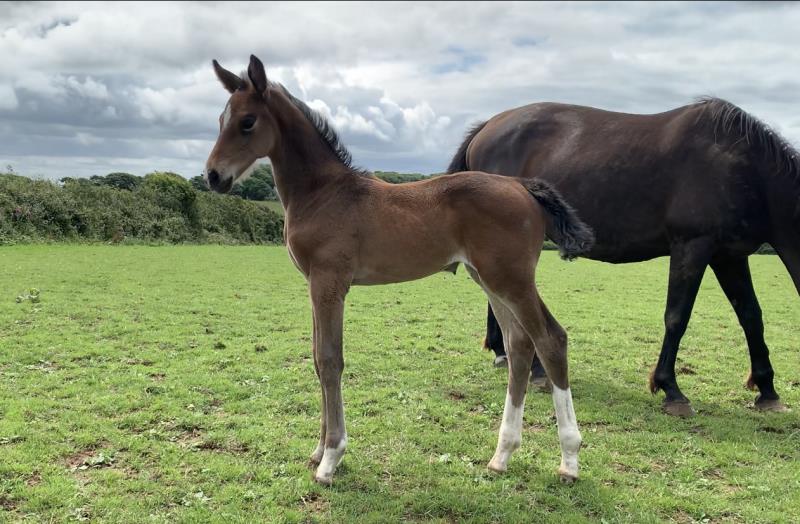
(734,277)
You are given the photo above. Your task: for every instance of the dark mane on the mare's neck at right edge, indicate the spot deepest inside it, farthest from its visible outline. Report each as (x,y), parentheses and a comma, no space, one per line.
(735,121)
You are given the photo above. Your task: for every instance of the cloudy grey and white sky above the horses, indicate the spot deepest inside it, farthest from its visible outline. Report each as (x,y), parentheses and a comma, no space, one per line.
(90,88)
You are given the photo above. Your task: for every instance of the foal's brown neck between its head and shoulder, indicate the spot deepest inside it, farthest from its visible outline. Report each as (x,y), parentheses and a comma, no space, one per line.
(302,162)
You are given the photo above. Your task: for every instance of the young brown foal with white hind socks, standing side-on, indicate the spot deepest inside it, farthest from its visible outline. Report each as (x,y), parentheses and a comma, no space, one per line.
(345,227)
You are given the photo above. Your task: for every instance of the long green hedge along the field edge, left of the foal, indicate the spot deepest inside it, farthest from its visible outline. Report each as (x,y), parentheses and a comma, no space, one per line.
(161,207)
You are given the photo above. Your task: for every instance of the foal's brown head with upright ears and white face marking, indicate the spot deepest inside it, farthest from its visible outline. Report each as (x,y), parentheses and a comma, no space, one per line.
(247,130)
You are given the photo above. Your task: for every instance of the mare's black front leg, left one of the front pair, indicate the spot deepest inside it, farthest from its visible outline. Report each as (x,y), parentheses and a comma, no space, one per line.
(687,264)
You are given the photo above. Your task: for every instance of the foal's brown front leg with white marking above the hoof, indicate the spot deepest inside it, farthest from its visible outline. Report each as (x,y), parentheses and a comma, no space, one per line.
(327,297)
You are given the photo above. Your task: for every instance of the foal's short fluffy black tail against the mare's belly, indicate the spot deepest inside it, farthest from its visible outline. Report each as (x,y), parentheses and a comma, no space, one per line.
(570,234)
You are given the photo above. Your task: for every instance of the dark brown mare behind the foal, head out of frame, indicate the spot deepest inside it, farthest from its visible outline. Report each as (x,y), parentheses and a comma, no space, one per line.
(705,184)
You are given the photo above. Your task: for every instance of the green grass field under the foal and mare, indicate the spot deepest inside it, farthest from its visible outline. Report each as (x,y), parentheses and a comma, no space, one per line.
(175,384)
